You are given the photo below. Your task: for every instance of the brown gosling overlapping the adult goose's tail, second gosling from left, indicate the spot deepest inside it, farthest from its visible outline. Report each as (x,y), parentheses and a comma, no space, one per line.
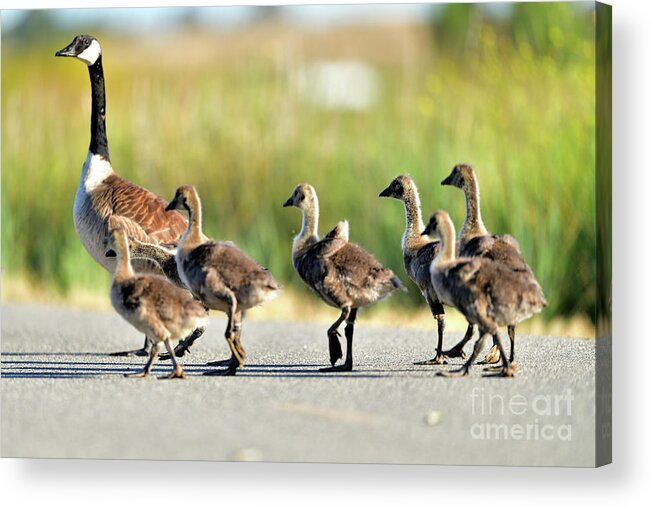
(221,275)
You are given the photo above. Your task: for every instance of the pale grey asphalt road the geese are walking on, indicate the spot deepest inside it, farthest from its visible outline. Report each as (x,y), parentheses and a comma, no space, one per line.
(62,396)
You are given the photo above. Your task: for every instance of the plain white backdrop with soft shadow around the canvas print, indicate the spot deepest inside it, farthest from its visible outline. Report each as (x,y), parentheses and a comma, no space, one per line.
(55,482)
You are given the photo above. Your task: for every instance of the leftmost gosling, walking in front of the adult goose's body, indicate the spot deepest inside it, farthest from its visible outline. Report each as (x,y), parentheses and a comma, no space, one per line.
(151,304)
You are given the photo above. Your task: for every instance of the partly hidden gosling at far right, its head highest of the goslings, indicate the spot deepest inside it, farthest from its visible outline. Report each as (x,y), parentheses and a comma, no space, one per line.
(476,241)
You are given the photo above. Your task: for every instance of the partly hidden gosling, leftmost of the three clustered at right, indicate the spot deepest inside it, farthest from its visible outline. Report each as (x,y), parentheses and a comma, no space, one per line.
(418,252)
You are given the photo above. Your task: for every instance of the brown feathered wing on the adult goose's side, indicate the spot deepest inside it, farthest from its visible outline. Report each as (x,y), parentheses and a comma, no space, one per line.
(145,209)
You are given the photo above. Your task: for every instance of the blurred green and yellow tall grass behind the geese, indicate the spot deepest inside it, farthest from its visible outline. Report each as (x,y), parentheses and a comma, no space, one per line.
(237,129)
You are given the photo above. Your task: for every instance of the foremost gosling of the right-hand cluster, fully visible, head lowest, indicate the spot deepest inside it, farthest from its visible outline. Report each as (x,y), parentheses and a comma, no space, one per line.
(487,292)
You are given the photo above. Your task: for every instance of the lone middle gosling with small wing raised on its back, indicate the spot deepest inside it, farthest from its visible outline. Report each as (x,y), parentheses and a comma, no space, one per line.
(343,274)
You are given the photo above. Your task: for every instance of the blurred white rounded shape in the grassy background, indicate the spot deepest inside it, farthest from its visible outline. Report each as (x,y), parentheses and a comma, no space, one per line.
(341,84)
